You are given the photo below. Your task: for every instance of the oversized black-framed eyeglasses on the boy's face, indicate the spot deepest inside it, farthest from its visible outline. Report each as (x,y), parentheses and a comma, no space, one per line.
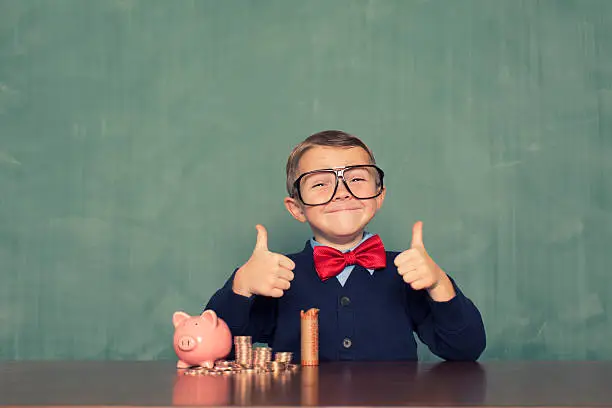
(318,187)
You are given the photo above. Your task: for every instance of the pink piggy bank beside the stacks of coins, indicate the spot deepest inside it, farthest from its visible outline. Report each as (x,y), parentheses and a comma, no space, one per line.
(200,340)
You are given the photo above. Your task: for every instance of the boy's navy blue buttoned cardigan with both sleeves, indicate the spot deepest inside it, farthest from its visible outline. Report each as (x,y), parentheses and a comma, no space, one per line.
(373,317)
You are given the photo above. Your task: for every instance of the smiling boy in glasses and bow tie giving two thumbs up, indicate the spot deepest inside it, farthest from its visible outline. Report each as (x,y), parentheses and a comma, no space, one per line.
(370,301)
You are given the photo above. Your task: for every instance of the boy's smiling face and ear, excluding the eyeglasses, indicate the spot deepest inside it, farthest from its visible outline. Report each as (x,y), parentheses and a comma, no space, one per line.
(341,221)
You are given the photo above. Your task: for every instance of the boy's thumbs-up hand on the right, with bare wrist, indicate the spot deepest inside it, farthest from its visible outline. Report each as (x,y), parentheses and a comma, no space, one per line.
(420,271)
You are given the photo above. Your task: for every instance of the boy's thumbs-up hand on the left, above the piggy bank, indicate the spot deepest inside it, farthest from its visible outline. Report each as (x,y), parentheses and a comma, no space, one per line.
(265,273)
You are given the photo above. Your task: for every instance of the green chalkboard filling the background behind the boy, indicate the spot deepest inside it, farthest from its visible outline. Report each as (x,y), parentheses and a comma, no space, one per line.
(142,140)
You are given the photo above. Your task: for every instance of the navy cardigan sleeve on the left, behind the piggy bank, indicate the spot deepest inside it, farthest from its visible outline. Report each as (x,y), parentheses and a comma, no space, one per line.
(253,316)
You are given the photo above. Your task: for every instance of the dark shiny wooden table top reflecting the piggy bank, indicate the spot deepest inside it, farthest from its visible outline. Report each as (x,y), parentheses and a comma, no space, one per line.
(114,383)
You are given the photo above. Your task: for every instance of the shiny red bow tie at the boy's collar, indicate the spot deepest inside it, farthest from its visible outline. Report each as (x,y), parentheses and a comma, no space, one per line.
(329,262)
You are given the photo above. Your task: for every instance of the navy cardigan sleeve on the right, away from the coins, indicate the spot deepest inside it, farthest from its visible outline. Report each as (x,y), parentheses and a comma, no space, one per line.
(452,329)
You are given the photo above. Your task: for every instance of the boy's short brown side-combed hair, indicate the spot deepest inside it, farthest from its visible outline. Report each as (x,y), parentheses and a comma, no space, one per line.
(329,138)
